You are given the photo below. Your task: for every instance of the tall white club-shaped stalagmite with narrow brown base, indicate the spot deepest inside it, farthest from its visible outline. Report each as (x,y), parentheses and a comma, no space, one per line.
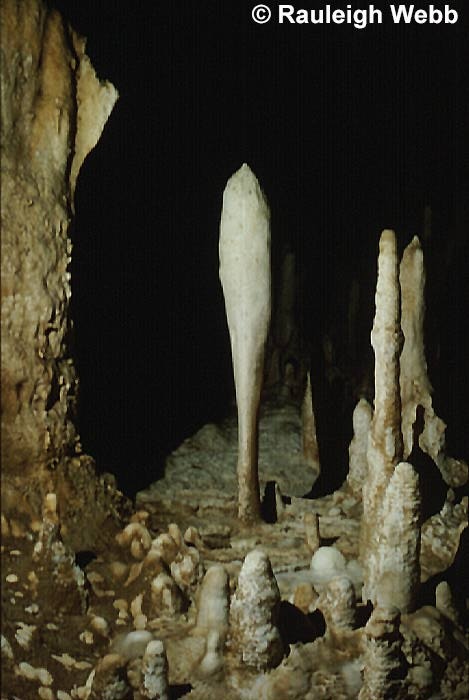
(245,277)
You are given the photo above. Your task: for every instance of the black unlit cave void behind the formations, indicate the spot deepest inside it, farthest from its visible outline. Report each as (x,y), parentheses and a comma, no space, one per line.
(349,131)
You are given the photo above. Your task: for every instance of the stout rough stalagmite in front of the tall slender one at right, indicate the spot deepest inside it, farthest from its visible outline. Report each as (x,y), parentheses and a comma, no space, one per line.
(398,551)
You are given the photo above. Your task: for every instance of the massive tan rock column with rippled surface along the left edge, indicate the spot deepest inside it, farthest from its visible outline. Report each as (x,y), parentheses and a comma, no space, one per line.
(53,112)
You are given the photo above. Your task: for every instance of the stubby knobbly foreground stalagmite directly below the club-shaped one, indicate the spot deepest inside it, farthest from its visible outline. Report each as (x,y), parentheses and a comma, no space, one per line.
(255,638)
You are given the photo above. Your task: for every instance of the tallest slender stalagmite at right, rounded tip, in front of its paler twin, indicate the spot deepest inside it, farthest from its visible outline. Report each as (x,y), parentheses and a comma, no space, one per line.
(385,440)
